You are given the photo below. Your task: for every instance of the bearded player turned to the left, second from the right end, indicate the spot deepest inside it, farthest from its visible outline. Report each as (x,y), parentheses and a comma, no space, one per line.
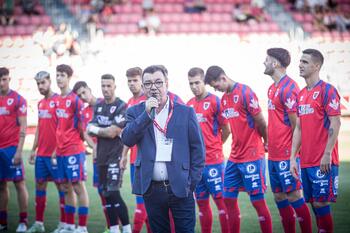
(282,98)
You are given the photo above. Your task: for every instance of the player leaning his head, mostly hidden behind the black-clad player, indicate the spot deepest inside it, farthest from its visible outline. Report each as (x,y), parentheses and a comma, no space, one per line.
(84,92)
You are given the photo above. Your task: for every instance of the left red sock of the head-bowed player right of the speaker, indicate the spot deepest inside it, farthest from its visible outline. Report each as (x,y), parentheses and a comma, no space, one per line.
(233,214)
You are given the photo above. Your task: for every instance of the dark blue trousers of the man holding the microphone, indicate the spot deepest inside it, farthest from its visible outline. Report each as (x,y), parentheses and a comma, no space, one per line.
(159,198)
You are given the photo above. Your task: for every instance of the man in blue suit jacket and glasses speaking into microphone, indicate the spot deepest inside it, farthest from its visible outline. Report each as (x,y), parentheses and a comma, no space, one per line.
(170,155)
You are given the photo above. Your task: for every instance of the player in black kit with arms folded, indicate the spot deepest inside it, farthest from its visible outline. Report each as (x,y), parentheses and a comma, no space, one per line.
(107,124)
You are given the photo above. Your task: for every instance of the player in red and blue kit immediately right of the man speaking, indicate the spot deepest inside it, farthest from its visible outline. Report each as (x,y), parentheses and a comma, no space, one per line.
(215,130)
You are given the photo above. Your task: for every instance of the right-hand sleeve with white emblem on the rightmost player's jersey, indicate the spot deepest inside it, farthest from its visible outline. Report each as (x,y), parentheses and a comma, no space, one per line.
(331,101)
